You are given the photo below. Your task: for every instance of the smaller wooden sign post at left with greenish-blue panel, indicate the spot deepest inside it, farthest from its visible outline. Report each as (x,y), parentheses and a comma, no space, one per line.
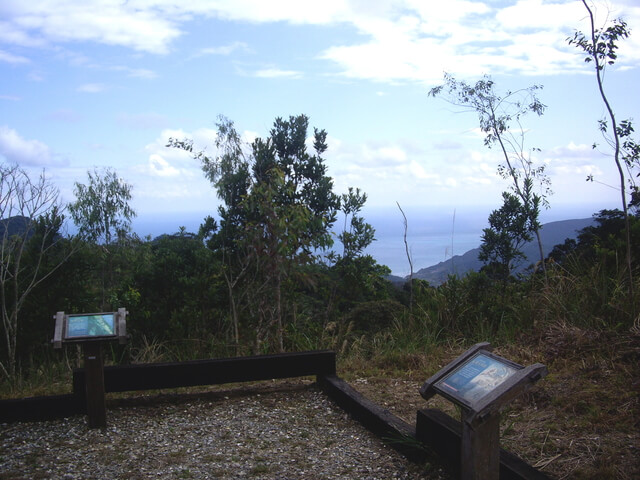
(91,330)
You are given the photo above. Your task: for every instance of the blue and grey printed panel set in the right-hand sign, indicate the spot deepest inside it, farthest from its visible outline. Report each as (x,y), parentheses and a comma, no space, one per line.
(476,377)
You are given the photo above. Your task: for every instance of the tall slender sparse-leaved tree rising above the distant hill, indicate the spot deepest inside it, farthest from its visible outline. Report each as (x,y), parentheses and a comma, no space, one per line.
(496,114)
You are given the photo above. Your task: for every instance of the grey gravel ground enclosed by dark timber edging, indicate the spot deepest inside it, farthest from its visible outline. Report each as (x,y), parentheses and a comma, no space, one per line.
(268,433)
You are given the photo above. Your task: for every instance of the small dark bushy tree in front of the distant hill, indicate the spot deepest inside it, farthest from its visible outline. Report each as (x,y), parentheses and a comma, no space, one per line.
(510,227)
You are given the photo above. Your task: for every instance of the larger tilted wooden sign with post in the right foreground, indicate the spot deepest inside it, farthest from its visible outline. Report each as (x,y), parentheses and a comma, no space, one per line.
(482,383)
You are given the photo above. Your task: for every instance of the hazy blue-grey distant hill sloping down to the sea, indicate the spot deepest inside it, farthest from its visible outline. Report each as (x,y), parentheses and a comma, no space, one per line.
(552,234)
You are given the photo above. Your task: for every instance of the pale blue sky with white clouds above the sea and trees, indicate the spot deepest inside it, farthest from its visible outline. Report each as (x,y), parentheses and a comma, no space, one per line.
(106,83)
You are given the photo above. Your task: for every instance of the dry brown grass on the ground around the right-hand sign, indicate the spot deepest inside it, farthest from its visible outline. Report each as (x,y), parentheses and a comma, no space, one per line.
(580,422)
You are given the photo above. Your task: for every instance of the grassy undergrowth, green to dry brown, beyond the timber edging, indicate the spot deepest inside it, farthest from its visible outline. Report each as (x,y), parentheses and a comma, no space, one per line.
(581,421)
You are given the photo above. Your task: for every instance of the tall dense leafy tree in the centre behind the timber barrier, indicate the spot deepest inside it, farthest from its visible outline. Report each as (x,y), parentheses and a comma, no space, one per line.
(278,207)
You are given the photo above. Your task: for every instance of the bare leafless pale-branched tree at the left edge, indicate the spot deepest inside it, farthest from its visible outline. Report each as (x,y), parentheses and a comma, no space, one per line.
(31,218)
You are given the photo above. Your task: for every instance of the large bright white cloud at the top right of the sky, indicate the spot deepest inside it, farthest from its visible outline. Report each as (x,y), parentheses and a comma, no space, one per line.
(420,41)
